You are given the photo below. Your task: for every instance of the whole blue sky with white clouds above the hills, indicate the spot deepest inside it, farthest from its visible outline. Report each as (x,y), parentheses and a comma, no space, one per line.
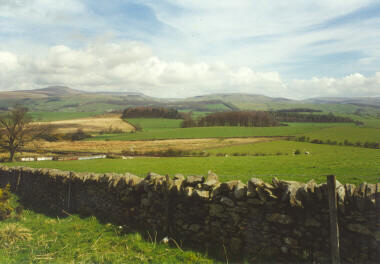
(178,48)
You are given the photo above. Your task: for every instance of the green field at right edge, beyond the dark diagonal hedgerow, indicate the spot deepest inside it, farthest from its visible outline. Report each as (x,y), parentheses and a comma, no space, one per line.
(351,133)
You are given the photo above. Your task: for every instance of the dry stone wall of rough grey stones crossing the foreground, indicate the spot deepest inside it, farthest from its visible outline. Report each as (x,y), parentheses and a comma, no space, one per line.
(284,221)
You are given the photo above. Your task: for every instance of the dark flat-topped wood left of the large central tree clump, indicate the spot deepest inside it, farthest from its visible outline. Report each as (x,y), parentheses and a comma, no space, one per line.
(151,112)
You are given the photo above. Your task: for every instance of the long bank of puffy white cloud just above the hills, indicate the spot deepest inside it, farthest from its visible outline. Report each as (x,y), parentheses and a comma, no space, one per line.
(132,66)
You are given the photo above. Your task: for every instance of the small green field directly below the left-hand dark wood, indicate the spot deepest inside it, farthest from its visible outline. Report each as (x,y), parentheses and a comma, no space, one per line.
(155,123)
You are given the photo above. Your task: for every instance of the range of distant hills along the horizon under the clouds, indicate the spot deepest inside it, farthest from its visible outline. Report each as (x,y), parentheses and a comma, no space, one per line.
(66,99)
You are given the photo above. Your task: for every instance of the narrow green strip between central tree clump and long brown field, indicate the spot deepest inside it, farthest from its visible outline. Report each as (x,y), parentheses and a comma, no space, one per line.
(218,132)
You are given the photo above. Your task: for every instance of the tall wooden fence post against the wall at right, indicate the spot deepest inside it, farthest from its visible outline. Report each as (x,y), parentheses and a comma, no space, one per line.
(333,210)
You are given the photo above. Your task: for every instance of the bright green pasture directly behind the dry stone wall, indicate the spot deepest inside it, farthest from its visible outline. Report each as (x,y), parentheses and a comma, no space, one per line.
(349,164)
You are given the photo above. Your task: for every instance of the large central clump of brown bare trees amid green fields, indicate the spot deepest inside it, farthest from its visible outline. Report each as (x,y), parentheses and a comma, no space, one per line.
(233,118)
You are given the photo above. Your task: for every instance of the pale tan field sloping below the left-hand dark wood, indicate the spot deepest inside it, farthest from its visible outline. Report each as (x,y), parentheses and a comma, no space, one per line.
(90,124)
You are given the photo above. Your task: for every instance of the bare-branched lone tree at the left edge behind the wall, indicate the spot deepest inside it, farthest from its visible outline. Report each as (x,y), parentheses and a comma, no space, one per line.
(16,129)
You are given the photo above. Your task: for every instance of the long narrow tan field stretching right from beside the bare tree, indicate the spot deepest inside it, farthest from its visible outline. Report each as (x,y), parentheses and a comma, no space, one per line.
(143,146)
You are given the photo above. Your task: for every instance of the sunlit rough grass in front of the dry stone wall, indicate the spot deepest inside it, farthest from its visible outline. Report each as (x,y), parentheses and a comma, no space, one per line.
(74,240)
